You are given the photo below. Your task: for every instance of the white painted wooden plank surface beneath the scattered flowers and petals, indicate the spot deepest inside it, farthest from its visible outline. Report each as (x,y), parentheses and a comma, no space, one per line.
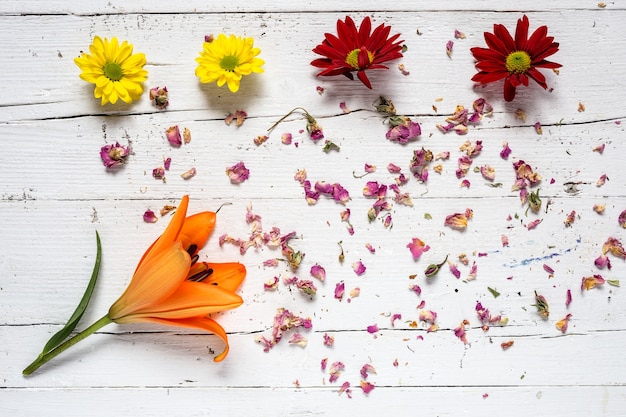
(55,193)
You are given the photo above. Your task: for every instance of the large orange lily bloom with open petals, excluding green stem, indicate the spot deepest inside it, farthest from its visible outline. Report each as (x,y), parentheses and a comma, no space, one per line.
(171,287)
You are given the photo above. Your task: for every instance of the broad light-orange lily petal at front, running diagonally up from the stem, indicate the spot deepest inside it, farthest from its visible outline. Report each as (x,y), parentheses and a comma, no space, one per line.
(157,277)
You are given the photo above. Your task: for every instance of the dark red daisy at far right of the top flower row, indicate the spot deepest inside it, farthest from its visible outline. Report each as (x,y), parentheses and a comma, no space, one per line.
(515,60)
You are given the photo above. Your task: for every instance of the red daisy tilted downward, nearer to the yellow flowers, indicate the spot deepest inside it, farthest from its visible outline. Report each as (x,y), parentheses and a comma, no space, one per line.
(356,49)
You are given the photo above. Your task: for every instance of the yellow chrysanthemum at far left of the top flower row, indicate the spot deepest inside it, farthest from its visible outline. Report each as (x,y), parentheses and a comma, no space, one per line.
(116,72)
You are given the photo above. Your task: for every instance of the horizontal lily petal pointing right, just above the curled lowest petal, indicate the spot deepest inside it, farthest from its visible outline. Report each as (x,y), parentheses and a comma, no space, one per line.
(191,299)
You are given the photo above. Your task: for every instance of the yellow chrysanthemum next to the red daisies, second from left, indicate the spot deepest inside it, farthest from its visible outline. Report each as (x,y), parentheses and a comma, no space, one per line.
(227,59)
